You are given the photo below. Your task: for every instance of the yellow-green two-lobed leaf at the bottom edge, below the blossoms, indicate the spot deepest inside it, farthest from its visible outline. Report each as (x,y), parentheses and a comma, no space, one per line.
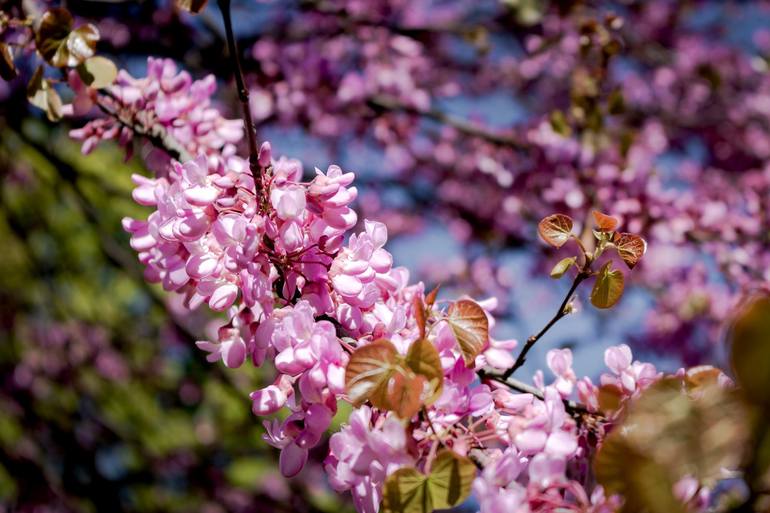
(449,484)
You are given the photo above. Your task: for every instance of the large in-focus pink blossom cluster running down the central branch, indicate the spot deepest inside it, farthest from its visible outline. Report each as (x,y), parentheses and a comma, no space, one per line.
(300,296)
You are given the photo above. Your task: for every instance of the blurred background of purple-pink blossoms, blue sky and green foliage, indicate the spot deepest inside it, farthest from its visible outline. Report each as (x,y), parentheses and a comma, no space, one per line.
(449,113)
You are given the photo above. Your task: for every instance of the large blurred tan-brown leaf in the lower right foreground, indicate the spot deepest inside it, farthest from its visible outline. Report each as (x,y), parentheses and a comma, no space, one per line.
(675,433)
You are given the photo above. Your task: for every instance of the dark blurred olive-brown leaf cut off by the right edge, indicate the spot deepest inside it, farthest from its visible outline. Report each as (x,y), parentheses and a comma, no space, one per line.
(750,351)
